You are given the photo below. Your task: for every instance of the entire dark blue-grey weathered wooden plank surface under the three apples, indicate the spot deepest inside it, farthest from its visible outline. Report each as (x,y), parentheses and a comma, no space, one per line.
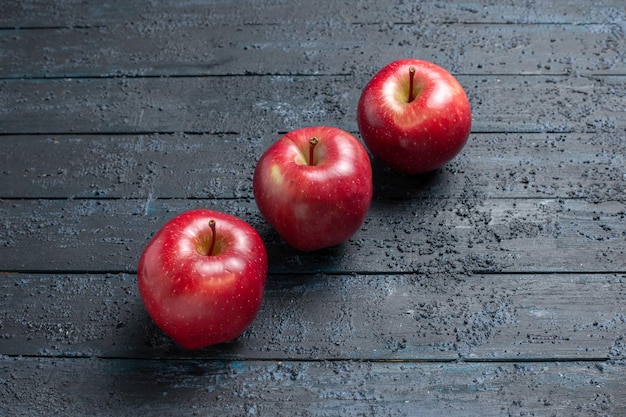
(495,286)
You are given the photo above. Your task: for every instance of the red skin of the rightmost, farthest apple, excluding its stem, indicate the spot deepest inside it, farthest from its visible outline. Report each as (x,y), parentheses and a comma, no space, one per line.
(421,135)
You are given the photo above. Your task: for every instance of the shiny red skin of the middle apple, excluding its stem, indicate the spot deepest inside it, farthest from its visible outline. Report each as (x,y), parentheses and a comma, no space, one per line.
(314,206)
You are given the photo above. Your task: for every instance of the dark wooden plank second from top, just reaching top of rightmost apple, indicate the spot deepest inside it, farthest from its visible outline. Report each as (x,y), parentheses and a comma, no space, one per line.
(178,49)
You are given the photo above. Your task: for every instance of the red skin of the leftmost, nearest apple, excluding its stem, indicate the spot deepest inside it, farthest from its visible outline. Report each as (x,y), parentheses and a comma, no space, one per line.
(199,299)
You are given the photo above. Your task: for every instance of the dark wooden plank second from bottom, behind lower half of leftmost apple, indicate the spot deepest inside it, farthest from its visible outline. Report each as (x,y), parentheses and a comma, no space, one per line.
(365,317)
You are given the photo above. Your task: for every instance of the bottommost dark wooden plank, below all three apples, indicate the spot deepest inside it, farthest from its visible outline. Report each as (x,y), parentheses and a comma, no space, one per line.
(154,388)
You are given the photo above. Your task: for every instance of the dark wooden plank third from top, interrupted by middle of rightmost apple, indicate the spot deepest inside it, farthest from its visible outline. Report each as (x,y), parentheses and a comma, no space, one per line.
(256,105)
